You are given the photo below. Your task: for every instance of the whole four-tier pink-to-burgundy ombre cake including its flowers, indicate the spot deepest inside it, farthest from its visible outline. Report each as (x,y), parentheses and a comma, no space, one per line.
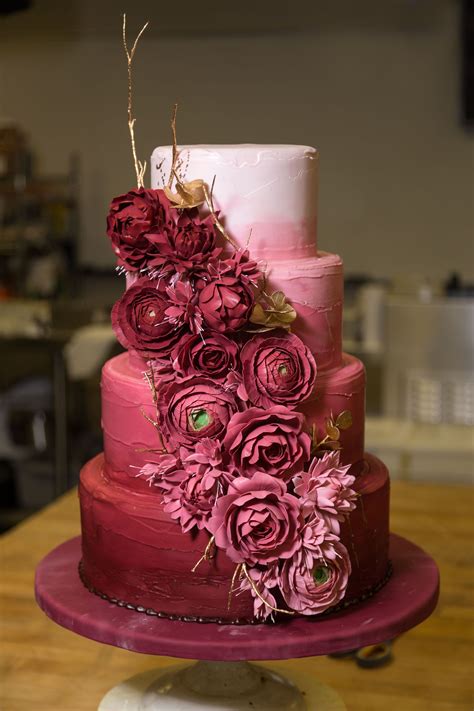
(233,486)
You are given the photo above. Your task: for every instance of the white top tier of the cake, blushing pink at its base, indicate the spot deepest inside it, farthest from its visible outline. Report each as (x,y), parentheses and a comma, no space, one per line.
(269,192)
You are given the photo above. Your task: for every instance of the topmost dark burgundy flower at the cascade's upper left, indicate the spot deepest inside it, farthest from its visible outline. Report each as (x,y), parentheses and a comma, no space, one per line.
(132,218)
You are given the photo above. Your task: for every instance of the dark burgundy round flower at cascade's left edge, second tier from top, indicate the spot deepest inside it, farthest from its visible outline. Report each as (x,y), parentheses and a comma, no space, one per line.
(140,322)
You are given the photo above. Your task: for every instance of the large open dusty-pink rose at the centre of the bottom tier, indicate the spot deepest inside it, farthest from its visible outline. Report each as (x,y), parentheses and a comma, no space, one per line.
(257,521)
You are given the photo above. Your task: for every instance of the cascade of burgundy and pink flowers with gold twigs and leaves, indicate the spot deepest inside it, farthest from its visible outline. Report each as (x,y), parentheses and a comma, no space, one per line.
(236,457)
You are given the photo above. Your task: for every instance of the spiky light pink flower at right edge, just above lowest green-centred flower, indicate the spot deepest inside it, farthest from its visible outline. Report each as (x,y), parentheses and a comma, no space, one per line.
(327,486)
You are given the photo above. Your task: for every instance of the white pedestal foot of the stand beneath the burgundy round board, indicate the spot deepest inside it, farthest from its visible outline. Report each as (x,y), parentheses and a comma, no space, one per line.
(219,685)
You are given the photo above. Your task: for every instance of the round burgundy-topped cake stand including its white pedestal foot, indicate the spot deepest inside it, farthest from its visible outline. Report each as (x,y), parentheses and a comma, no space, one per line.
(224,679)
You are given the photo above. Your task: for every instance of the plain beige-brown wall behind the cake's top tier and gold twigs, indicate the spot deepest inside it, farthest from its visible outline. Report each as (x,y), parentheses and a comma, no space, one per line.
(382,105)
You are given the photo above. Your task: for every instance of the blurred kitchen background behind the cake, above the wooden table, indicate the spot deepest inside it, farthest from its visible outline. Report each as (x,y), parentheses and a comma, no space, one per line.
(385,90)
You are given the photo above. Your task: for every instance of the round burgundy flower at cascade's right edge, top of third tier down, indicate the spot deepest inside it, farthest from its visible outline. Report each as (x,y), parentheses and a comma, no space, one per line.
(277,370)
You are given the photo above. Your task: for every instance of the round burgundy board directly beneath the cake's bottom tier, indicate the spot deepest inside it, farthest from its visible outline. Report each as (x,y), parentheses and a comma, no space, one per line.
(407,599)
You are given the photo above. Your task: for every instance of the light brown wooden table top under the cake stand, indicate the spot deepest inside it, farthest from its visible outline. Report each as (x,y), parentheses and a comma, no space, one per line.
(45,667)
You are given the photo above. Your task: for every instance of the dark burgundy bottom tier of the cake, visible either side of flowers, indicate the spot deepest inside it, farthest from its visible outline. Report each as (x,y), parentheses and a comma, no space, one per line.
(134,552)
